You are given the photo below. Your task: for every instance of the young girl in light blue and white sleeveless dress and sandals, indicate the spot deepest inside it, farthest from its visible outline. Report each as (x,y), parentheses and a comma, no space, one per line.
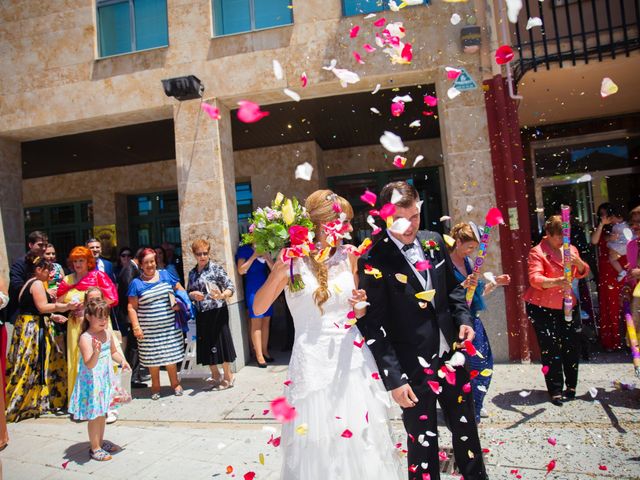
(93,388)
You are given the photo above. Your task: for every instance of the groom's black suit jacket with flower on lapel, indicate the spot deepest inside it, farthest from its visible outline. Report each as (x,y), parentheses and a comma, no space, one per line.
(401,330)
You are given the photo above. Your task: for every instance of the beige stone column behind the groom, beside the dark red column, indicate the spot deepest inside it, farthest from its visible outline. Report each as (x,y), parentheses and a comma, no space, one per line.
(469,180)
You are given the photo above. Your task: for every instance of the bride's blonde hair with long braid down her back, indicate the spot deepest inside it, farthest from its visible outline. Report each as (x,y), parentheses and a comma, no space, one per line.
(319,205)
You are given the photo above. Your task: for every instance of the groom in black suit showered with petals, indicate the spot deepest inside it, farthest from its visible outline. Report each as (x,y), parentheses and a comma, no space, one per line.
(412,338)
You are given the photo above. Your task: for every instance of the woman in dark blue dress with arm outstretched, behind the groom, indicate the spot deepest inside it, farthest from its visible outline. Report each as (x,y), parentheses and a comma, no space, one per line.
(466,244)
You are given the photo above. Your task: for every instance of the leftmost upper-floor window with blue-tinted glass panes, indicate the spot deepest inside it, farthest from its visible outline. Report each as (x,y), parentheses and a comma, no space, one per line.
(131,25)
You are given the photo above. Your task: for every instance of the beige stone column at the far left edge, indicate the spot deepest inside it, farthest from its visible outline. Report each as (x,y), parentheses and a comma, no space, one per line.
(12,222)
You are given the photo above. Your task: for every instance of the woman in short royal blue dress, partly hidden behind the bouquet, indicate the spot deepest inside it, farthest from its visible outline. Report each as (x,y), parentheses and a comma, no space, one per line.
(256,268)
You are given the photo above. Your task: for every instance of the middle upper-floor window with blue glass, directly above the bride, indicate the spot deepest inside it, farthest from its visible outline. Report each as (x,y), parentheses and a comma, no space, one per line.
(238,16)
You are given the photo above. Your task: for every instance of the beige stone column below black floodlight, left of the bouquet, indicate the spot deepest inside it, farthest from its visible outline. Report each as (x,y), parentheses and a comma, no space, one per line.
(206,190)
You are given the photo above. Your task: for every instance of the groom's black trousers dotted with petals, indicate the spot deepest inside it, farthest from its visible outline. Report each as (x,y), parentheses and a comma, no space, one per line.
(421,423)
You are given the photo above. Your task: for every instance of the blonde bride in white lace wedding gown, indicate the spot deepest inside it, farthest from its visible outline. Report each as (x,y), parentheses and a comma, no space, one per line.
(341,430)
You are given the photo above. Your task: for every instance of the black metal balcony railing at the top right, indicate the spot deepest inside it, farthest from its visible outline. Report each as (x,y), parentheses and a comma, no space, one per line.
(575,31)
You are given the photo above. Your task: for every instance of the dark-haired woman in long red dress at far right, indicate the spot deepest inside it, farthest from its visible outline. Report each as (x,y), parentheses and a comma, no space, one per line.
(609,288)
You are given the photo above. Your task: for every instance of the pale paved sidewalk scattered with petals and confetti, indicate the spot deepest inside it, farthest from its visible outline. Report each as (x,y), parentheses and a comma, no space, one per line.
(202,434)
